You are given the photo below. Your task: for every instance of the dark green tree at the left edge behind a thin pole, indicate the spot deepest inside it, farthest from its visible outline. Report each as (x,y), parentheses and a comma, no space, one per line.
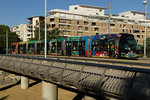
(12,37)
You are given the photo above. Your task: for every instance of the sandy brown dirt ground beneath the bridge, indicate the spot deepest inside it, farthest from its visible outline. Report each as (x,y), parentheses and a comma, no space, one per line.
(14,92)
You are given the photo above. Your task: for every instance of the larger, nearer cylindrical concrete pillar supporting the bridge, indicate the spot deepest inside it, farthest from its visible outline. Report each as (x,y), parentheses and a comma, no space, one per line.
(49,91)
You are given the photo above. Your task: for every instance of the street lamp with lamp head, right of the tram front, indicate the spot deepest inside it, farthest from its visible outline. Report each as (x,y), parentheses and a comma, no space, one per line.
(145,3)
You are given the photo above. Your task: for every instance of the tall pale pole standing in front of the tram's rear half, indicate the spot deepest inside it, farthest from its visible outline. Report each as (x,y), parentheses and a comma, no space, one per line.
(45,29)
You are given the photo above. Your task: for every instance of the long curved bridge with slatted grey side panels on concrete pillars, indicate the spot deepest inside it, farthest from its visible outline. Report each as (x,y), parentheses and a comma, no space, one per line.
(95,80)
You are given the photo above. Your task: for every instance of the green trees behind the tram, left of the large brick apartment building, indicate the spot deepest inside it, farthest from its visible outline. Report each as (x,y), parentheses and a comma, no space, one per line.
(54,33)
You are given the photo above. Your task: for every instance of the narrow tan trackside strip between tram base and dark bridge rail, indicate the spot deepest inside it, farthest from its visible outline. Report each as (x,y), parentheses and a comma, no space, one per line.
(127,62)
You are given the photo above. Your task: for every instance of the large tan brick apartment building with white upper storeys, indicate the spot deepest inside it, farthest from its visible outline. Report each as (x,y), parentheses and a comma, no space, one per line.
(83,20)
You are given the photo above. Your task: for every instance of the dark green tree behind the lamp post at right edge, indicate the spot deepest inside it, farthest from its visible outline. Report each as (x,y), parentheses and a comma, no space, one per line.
(147,47)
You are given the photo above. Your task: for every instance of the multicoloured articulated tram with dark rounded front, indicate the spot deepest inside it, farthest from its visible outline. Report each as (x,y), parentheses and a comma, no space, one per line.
(122,45)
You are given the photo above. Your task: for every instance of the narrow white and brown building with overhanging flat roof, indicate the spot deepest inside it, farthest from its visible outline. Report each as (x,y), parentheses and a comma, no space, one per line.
(34,22)
